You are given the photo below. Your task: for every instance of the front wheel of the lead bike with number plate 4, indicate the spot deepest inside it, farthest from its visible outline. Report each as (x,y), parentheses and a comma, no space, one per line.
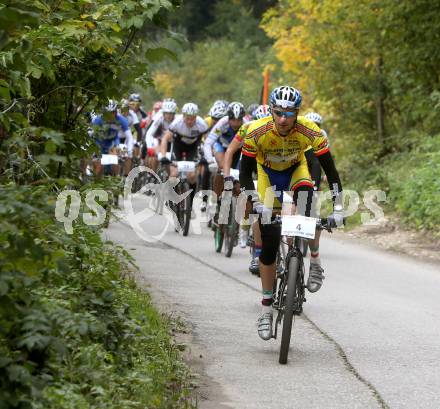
(293,267)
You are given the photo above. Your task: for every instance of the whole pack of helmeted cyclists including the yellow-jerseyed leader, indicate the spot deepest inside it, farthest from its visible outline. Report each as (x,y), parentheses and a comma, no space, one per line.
(273,147)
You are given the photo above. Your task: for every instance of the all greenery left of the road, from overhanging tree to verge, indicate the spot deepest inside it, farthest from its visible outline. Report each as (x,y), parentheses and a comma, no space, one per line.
(75,332)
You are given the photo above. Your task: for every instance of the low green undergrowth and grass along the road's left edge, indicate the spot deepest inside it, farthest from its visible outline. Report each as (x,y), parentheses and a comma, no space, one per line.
(74,332)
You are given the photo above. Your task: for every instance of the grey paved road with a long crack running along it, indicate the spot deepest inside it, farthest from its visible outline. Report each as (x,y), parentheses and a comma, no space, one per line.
(369,338)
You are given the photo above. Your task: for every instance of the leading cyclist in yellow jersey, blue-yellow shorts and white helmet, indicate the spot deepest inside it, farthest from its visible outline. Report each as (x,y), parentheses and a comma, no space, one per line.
(277,145)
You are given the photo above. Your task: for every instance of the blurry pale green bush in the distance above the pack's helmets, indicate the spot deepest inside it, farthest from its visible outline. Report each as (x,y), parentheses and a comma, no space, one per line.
(216,69)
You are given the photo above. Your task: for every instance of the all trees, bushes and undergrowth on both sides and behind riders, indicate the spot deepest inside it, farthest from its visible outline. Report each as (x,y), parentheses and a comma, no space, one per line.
(73,332)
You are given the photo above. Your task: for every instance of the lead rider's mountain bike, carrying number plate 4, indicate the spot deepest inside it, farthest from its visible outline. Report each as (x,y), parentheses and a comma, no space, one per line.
(289,286)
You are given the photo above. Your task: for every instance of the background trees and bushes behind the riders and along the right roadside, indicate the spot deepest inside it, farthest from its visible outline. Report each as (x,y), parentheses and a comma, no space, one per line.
(369,68)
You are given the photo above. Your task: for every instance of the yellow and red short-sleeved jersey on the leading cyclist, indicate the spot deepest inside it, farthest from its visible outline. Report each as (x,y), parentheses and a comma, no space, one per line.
(277,152)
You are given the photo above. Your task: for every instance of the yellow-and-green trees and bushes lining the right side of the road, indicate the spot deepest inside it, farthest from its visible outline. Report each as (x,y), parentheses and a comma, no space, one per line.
(371,70)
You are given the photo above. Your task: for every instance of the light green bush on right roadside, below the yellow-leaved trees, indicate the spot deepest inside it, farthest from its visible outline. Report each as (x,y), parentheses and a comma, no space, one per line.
(411,180)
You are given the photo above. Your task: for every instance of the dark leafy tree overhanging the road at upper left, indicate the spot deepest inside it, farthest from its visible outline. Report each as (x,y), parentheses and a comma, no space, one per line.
(59,59)
